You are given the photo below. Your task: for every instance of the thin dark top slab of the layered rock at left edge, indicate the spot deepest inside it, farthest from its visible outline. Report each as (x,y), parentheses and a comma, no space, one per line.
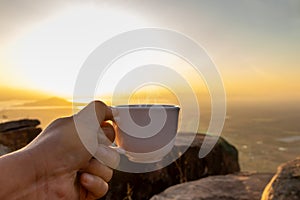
(13,125)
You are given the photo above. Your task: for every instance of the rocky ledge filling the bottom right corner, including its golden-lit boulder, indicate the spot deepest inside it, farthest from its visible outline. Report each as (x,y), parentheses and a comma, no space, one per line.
(284,185)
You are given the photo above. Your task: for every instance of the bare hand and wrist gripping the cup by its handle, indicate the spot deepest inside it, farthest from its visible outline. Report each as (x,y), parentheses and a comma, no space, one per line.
(56,165)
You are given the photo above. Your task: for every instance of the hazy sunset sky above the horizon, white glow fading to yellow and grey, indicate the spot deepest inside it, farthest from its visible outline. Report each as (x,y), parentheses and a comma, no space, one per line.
(254,43)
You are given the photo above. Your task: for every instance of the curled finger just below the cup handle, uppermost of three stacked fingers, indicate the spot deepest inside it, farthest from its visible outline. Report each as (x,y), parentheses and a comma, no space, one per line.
(109,156)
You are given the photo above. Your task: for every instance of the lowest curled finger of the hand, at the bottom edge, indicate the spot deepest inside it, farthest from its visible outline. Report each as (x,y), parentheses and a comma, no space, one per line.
(96,186)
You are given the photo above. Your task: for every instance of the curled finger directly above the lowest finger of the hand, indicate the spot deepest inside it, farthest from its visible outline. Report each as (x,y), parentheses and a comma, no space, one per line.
(98,169)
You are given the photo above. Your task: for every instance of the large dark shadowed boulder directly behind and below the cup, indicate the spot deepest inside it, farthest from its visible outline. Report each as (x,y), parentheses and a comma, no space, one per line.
(223,159)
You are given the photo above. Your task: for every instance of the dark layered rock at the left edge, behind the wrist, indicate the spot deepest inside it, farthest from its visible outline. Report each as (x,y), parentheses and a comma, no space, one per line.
(17,134)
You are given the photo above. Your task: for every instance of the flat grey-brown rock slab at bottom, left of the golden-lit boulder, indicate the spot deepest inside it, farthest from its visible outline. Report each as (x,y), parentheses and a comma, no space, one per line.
(242,186)
